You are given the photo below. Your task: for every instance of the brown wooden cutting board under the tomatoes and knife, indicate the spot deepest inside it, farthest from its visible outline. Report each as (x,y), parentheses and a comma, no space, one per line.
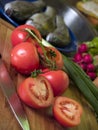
(38,119)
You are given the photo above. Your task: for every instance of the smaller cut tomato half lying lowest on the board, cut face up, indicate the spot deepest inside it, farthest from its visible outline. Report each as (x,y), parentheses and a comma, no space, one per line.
(67,111)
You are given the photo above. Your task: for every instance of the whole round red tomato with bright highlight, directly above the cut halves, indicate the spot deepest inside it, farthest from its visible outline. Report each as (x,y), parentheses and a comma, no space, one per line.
(24,58)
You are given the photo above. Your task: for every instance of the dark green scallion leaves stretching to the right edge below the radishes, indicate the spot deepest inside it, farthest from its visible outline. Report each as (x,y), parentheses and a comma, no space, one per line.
(83,82)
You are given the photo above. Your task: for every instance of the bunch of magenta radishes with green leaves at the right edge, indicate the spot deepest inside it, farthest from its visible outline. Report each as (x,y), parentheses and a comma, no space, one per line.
(86,57)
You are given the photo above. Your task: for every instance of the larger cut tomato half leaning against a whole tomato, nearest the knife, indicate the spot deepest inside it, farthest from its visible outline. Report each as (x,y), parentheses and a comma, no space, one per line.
(36,92)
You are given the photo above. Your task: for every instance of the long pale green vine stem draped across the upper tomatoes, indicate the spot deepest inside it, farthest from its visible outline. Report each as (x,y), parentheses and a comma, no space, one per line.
(50,62)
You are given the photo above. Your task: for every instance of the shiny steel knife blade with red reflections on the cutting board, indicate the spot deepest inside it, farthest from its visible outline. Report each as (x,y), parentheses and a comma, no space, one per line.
(10,93)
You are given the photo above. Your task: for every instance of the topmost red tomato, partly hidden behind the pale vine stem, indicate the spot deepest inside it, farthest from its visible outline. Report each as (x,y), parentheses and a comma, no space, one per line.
(20,35)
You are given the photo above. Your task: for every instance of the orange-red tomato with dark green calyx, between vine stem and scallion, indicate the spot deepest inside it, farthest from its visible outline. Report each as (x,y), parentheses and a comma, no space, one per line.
(54,55)
